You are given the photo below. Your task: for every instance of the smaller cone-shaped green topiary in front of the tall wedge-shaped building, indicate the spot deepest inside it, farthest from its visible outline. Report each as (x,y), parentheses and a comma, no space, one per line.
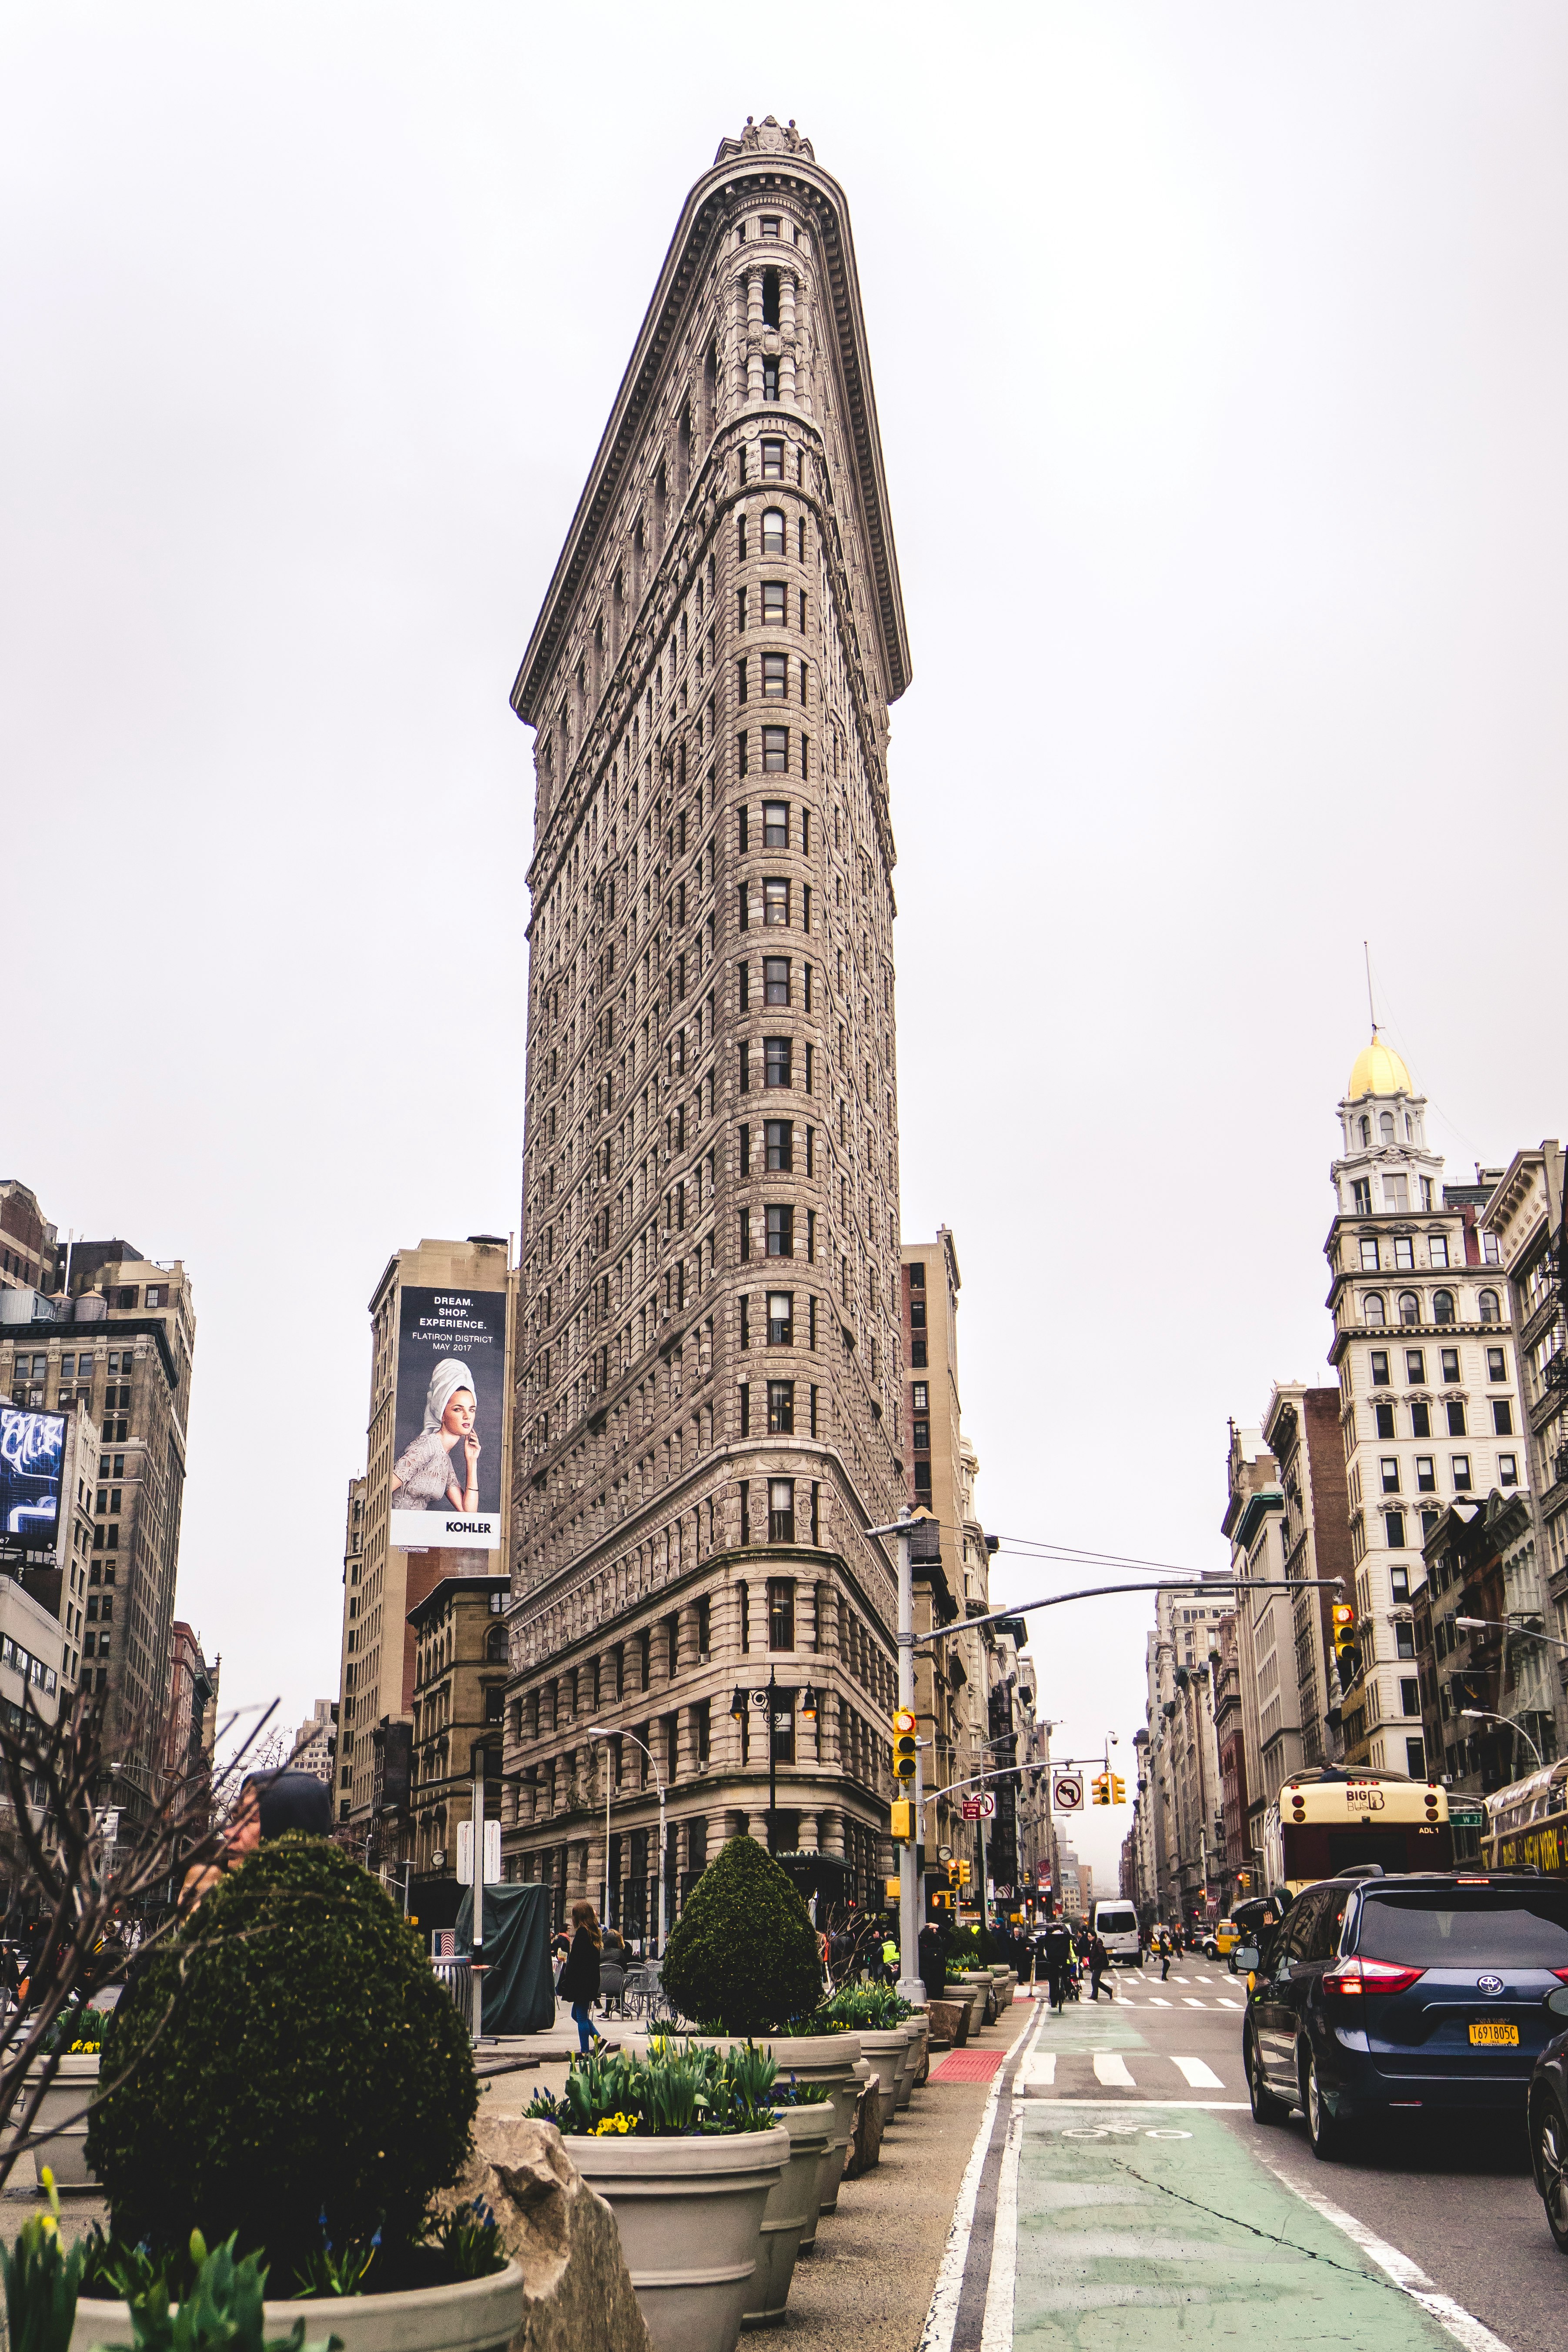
(744,1953)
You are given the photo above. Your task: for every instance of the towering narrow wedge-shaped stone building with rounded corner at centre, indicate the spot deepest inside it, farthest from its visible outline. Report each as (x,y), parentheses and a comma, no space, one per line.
(711,1387)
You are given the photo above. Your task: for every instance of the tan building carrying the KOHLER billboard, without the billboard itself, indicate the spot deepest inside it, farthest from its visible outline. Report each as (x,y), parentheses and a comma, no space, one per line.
(382,1582)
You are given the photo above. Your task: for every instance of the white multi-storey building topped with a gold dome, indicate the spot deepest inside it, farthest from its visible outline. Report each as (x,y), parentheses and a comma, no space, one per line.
(1430,1405)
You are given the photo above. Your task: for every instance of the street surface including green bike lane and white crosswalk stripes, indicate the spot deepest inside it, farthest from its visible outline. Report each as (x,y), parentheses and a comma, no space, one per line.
(1146,2189)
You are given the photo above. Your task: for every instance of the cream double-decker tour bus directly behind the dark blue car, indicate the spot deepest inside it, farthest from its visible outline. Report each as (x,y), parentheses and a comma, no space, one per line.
(1329,1819)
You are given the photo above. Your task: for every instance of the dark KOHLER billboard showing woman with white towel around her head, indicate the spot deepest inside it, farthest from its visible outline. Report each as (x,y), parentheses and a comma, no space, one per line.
(450,1419)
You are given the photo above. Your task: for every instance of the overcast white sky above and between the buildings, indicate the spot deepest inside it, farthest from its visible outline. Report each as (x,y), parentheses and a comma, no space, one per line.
(1221,361)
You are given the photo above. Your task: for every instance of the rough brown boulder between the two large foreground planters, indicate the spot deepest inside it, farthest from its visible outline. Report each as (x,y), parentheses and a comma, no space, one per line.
(561,2233)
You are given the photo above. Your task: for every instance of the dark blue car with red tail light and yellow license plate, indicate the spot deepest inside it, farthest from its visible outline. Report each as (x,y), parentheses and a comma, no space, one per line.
(1402,1993)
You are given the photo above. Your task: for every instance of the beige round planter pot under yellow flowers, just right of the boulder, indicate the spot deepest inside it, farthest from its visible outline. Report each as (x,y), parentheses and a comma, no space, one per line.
(690,2219)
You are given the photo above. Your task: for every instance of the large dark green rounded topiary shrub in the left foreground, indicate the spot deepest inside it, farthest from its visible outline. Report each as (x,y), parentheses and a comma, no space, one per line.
(290,2057)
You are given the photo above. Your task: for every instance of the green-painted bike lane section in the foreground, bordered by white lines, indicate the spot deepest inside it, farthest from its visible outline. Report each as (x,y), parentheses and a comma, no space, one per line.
(1127,2214)
